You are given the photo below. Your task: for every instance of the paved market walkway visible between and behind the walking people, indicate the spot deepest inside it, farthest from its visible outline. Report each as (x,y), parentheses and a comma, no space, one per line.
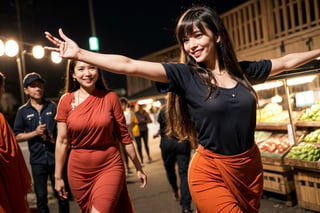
(157,196)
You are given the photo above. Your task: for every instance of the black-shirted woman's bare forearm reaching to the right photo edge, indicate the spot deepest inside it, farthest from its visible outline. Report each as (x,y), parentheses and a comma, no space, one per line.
(292,60)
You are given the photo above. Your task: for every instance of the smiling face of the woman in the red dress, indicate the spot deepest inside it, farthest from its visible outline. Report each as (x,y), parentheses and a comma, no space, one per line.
(86,74)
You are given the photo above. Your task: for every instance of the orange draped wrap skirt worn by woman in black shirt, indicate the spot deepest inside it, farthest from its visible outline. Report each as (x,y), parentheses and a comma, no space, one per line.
(220,183)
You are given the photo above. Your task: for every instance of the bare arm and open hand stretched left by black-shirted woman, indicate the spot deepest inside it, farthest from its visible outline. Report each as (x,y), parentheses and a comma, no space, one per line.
(113,63)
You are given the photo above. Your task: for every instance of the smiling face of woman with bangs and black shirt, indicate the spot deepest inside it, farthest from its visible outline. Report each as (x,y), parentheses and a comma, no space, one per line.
(201,45)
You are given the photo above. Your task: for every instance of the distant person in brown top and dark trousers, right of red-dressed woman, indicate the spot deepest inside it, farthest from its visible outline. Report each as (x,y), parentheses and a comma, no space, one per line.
(143,120)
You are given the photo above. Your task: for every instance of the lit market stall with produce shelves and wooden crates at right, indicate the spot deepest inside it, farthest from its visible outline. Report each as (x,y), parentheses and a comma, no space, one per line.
(288,123)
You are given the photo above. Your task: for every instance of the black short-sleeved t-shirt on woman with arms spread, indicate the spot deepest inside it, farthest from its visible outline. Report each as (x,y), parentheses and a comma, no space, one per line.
(225,122)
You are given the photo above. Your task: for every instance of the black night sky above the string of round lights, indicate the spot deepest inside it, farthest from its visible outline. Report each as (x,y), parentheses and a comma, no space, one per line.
(132,28)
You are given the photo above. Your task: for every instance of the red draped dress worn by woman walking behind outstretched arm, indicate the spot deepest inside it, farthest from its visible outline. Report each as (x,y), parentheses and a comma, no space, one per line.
(95,167)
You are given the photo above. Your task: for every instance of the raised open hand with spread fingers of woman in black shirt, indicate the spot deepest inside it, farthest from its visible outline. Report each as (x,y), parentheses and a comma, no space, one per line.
(66,47)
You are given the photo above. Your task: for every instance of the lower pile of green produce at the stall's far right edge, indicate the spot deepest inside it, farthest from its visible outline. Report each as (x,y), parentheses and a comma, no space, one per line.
(304,151)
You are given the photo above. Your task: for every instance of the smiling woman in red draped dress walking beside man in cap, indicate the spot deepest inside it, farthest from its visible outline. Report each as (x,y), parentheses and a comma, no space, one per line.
(91,122)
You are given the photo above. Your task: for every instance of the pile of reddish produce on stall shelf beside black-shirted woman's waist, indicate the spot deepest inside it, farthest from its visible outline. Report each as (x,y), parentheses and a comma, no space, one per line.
(278,144)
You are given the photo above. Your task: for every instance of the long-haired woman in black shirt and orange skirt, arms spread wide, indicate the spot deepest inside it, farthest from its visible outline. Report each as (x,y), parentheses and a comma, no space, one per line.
(214,105)
